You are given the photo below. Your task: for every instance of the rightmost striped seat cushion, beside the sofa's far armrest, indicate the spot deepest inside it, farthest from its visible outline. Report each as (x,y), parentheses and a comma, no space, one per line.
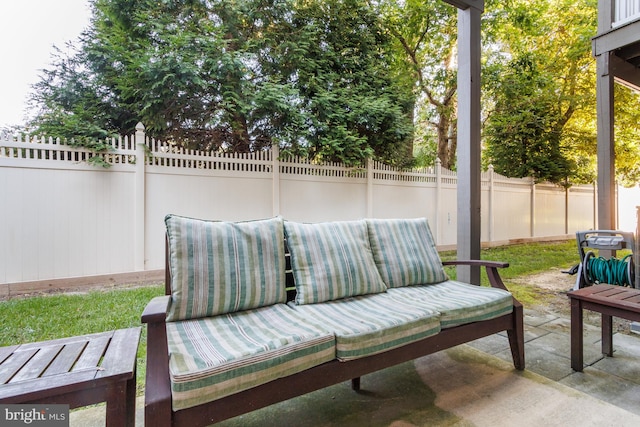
(458,303)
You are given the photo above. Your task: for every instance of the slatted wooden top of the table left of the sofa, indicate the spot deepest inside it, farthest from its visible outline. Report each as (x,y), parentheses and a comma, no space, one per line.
(68,363)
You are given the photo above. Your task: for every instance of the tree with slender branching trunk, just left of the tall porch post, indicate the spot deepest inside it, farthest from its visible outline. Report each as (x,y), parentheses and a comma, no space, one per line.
(425,35)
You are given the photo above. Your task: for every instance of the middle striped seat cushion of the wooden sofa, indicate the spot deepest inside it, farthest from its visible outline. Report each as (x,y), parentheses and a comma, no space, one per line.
(371,324)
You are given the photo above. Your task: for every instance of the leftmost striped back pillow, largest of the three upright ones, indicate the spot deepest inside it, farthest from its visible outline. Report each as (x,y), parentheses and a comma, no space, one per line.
(223,267)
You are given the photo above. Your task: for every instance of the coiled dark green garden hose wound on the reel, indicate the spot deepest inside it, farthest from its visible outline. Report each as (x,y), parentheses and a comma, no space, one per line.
(613,271)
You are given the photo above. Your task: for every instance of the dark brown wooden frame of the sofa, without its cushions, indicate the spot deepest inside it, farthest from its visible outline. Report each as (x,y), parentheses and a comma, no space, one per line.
(158,410)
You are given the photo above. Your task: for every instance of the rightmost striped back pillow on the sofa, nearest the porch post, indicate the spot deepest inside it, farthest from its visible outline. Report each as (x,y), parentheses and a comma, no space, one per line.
(405,252)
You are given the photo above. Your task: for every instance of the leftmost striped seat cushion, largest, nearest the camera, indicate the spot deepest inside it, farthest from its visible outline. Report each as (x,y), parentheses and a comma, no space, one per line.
(214,357)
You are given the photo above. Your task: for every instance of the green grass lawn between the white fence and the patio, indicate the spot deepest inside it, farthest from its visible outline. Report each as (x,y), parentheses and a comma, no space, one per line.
(48,317)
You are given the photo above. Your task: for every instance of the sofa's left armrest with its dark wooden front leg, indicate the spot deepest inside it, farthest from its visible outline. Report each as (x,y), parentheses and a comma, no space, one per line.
(158,385)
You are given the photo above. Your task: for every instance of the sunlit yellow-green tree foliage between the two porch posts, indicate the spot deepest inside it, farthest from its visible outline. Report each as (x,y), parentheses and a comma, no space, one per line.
(540,75)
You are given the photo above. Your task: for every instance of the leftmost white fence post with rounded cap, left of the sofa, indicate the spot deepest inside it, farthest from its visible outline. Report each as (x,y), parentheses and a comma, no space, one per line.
(139,214)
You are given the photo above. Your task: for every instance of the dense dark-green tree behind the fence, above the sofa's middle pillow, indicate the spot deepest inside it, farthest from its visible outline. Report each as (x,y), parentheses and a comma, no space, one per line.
(336,60)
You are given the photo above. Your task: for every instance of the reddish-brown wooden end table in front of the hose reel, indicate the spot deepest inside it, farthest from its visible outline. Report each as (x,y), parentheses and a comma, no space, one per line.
(609,300)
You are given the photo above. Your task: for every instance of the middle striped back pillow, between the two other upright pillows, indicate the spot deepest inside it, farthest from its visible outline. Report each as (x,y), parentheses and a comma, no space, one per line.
(331,260)
